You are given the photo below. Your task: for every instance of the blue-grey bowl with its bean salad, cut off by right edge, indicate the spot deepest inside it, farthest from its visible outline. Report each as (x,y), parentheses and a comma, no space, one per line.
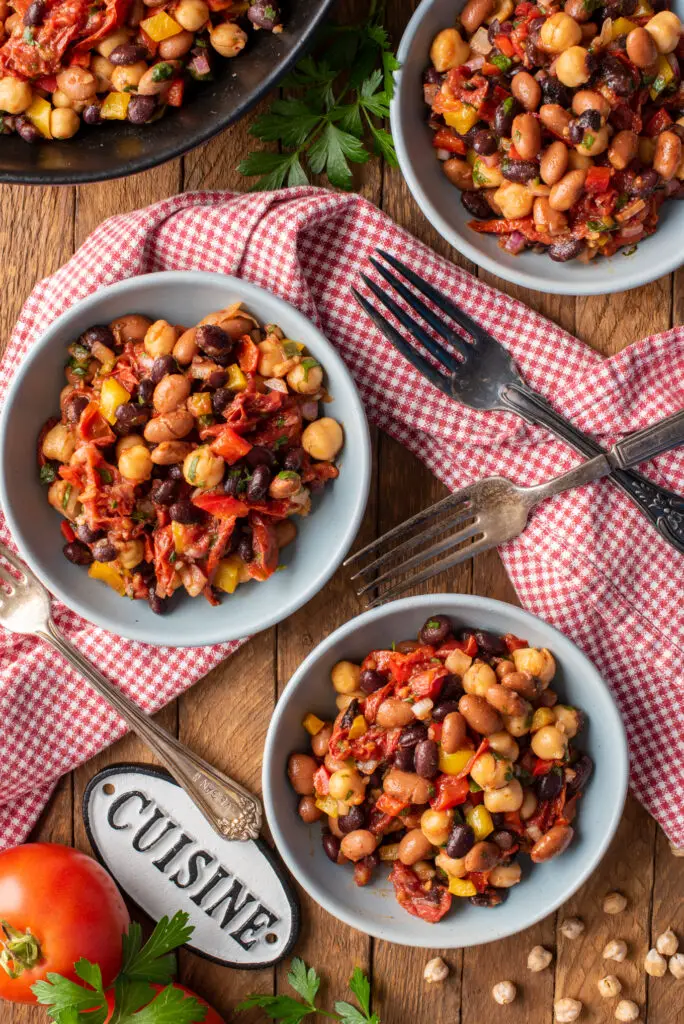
(545,141)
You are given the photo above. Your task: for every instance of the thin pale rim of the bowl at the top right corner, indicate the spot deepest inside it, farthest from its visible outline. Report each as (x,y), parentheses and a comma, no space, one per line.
(626,280)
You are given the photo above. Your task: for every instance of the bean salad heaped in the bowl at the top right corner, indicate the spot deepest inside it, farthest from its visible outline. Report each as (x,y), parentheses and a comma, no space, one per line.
(561,122)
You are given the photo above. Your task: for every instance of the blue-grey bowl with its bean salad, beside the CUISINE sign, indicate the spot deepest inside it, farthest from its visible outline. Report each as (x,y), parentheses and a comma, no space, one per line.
(445,772)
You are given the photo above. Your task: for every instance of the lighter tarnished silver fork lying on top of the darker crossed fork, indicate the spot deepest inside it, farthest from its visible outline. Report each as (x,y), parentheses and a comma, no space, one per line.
(494,511)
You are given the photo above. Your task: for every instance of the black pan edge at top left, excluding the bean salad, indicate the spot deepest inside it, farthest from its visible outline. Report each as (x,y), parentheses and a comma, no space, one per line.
(117,149)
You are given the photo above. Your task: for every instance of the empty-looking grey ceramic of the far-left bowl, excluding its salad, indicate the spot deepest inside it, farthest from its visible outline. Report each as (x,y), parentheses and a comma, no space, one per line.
(324,538)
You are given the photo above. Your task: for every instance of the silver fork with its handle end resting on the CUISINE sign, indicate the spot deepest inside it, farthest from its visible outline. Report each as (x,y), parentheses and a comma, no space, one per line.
(233,812)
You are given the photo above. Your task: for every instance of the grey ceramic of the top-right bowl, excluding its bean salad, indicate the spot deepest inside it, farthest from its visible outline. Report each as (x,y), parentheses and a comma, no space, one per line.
(441,201)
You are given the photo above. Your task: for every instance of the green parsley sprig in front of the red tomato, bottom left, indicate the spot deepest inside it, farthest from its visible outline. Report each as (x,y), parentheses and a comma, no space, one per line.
(136,1002)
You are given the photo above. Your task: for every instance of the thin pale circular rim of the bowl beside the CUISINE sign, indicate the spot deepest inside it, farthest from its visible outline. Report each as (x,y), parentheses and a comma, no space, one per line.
(447,603)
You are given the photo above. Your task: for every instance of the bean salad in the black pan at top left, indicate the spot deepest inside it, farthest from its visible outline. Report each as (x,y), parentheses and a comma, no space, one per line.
(68,62)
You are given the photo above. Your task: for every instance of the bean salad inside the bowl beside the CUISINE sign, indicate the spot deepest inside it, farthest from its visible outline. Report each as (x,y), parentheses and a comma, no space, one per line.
(451,757)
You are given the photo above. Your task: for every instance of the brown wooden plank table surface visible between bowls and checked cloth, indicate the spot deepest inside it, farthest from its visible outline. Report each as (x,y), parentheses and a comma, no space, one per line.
(39,231)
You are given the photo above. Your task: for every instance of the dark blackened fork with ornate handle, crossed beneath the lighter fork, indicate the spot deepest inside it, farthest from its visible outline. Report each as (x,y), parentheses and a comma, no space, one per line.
(482,375)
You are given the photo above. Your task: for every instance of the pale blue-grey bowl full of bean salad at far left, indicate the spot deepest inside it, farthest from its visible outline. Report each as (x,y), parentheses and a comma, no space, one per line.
(188,436)
